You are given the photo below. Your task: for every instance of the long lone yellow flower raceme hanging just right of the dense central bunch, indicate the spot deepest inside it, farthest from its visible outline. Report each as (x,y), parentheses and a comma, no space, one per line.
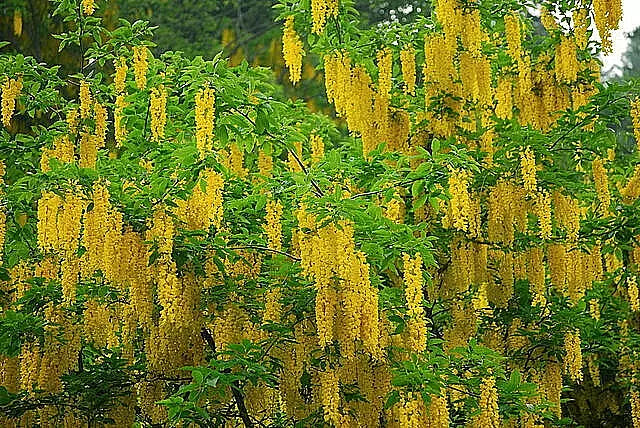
(416,328)
